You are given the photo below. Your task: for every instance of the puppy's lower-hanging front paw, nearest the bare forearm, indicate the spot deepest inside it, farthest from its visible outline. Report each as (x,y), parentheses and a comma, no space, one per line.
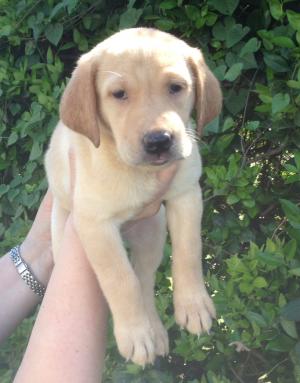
(136,342)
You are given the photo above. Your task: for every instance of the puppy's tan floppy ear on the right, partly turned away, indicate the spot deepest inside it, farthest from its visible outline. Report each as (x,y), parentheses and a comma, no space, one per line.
(208,96)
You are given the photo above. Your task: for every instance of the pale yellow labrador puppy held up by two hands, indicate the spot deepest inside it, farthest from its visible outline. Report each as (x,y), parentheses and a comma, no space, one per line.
(125,115)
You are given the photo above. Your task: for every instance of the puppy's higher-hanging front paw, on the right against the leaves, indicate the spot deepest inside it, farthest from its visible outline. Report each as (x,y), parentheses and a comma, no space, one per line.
(194,310)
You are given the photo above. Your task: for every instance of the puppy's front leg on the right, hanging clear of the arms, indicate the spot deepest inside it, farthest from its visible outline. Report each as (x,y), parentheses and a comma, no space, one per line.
(194,308)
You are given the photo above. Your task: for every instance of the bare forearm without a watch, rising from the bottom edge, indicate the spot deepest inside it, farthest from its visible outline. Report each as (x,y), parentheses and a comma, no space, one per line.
(68,339)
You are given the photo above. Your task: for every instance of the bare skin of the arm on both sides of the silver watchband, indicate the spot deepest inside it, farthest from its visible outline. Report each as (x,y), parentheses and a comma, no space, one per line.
(17,300)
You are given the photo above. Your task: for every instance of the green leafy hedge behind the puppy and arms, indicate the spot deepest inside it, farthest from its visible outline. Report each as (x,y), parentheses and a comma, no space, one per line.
(251,170)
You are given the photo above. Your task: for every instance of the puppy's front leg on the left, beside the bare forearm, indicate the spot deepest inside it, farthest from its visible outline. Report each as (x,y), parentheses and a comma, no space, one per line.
(103,245)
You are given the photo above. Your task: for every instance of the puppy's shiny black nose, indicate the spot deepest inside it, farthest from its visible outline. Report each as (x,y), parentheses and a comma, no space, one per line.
(157,142)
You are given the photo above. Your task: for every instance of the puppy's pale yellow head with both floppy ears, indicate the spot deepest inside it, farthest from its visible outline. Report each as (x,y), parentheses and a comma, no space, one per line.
(139,88)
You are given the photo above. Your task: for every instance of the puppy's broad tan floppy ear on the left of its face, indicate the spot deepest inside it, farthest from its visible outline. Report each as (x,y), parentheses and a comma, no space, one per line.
(79,104)
